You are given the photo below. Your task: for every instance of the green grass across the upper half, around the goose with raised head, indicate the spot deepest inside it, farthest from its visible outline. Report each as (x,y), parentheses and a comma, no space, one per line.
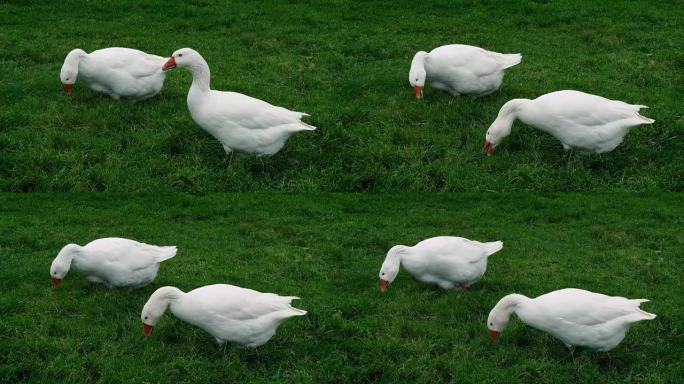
(345,63)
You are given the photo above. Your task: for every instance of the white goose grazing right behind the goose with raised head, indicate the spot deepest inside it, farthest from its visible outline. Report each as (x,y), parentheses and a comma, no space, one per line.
(118,72)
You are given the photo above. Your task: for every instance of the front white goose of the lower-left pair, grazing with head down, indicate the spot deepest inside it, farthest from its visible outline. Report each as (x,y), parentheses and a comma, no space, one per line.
(227,312)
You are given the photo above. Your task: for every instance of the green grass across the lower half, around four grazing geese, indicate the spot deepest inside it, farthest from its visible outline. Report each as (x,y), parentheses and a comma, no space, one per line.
(328,248)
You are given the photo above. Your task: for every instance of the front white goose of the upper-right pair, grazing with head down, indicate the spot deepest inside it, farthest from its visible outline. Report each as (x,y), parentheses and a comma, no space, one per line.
(579,120)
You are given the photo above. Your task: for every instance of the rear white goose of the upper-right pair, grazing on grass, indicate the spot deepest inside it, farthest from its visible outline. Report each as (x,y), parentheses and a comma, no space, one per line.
(460,70)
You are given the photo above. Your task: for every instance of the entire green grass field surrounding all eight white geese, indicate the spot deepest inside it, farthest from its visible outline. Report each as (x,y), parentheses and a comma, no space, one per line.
(346,63)
